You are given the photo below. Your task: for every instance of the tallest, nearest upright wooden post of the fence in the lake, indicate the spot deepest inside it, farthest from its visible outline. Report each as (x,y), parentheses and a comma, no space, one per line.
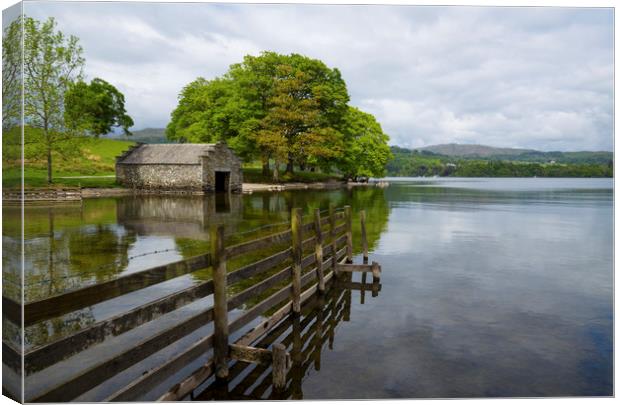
(220,305)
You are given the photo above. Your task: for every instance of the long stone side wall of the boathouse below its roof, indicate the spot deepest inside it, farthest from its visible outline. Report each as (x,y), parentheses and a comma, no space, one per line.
(151,176)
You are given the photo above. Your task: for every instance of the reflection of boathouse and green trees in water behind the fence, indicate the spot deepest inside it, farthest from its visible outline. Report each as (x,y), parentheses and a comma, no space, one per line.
(71,246)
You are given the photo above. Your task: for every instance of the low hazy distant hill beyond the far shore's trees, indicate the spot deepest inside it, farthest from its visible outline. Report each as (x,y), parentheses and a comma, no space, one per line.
(485,152)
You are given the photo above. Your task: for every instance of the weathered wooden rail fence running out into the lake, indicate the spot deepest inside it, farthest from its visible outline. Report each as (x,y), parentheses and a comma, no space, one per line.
(296,277)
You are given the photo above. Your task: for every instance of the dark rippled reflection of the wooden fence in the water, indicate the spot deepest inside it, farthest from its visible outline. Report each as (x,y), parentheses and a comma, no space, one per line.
(305,337)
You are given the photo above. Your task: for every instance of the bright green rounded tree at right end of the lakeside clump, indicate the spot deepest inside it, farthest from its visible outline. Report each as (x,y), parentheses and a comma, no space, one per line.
(367,151)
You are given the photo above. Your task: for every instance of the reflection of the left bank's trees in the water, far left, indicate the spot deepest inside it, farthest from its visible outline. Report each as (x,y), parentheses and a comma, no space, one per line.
(62,253)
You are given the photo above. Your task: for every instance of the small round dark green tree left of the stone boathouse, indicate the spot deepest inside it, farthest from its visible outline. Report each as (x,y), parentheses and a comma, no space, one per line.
(95,108)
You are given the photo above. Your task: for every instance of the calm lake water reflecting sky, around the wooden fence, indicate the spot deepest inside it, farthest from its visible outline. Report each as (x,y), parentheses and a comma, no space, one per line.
(490,287)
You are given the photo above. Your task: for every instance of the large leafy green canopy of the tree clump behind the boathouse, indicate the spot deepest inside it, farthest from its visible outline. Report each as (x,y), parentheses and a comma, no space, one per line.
(286,108)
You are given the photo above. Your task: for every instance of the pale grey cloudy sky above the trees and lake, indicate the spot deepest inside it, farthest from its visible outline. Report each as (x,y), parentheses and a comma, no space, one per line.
(537,78)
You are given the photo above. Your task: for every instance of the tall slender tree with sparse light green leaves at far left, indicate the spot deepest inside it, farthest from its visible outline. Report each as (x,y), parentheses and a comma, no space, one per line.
(51,62)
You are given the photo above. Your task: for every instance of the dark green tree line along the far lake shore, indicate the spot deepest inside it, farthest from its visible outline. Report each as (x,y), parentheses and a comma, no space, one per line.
(407,163)
